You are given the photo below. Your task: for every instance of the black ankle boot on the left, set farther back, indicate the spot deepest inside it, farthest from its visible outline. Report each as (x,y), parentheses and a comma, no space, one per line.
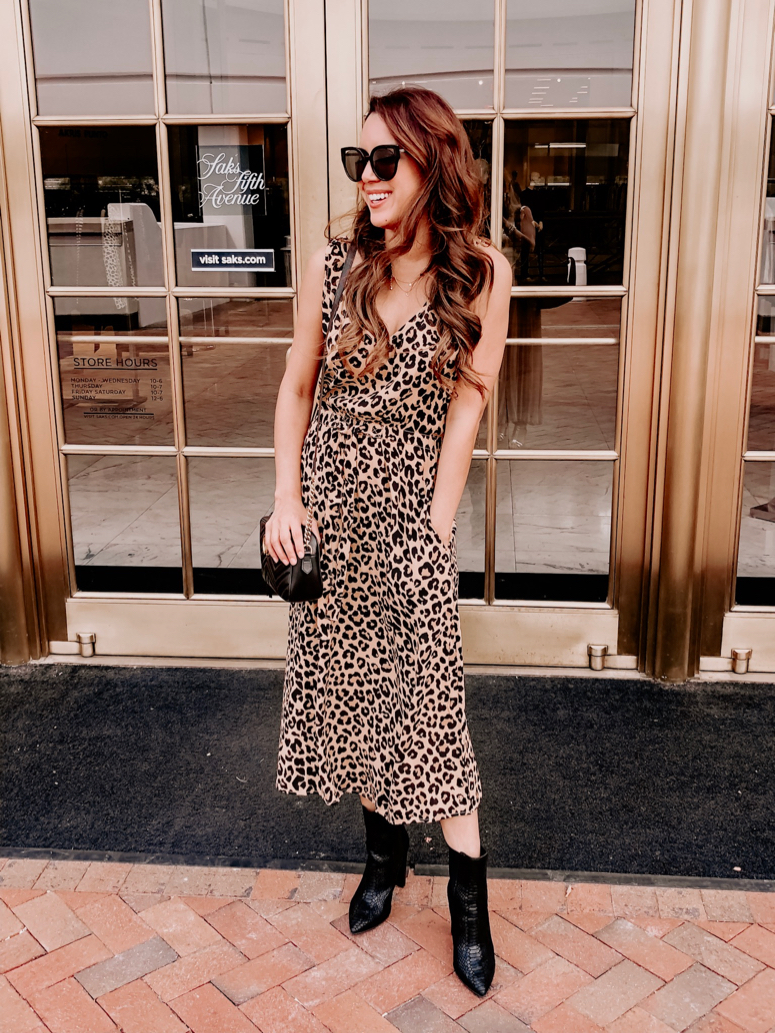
(386,867)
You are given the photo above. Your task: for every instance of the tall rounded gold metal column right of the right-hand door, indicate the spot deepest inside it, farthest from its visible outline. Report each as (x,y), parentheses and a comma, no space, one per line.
(676,653)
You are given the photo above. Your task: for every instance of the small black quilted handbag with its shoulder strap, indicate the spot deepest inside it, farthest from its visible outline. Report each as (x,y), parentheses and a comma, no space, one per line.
(301,582)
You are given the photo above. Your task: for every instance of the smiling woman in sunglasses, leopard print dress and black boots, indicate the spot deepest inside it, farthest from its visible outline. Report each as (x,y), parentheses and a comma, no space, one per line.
(375,699)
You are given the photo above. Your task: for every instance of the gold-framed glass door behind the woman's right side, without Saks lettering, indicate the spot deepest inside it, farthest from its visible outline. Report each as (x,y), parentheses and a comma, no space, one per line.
(550,100)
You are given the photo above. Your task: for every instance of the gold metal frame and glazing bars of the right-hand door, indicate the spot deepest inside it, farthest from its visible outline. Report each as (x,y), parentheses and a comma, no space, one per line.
(553,635)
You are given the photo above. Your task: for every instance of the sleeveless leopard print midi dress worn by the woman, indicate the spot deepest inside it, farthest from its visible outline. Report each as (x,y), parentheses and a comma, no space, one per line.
(374,698)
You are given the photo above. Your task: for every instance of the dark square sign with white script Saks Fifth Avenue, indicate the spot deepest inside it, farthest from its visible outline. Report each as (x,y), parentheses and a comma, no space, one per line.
(231,176)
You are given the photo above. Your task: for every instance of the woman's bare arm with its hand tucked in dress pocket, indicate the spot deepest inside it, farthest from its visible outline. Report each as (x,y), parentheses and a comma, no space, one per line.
(468,406)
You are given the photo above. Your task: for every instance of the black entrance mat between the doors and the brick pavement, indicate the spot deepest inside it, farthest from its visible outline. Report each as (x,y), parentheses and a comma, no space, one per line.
(579,774)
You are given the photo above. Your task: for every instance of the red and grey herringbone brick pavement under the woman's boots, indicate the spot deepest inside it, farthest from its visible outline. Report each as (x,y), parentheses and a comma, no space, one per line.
(151,949)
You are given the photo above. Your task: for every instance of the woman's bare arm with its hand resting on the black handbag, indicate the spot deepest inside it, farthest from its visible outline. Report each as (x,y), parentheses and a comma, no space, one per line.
(285,530)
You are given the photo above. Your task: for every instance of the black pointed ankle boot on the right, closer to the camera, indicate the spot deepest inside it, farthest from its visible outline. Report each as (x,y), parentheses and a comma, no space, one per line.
(474,955)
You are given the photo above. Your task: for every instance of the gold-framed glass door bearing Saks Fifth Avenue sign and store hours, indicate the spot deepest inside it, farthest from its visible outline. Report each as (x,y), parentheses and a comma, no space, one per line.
(180,153)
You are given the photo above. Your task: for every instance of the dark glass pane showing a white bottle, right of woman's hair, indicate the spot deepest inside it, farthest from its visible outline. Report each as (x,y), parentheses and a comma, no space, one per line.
(565,204)
